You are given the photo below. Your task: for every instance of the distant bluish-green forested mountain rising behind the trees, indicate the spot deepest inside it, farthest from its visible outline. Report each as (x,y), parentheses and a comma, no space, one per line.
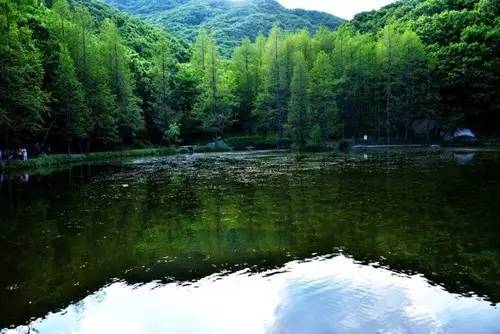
(229,20)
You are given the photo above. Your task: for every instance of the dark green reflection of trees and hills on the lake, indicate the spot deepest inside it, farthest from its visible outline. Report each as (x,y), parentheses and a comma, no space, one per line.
(187,226)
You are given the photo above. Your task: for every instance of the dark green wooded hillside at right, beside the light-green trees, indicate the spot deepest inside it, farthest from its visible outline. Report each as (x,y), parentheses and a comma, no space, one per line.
(464,38)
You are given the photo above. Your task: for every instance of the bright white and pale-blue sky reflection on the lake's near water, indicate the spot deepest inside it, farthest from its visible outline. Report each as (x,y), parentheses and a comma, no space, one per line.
(324,295)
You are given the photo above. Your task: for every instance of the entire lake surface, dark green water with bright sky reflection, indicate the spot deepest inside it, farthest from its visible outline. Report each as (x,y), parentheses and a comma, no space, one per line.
(371,242)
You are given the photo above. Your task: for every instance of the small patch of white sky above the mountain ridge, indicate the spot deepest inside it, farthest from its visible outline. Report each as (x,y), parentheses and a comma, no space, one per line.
(343,8)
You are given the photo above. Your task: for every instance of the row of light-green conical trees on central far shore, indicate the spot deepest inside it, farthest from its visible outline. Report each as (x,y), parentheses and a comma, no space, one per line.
(315,88)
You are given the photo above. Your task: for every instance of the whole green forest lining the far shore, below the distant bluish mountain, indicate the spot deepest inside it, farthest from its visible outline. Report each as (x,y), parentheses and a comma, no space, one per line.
(82,76)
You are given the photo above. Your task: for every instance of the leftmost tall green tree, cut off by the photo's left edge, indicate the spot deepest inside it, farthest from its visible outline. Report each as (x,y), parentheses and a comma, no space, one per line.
(22,100)
